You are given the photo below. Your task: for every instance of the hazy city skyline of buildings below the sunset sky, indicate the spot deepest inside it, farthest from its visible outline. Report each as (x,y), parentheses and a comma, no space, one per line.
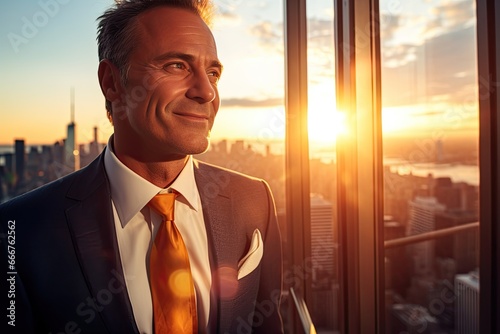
(26,170)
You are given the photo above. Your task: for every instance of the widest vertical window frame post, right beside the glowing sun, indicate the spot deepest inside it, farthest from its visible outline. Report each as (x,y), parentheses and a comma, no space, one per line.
(360,170)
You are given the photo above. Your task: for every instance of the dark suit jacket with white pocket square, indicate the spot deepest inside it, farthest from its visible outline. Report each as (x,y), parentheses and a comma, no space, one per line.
(69,275)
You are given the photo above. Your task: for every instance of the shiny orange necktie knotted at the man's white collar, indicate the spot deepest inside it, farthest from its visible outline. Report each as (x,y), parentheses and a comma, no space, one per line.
(172,286)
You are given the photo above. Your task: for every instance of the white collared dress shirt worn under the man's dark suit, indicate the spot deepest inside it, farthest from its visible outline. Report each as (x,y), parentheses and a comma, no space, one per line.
(136,225)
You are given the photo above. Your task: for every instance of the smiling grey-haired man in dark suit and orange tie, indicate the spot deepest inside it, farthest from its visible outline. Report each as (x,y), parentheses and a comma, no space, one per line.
(79,248)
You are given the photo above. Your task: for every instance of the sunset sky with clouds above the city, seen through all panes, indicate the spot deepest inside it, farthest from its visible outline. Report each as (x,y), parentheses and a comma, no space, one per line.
(46,50)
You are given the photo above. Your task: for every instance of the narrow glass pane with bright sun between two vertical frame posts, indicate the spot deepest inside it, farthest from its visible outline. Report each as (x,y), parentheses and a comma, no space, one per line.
(324,123)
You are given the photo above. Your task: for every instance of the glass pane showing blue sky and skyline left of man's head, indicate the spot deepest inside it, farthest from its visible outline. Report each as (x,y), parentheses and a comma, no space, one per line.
(48,131)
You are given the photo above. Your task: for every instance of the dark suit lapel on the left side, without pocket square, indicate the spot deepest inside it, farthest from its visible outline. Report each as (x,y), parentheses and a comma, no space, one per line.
(90,221)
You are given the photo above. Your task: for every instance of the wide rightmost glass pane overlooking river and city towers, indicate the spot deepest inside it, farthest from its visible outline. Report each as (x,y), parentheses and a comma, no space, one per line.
(430,135)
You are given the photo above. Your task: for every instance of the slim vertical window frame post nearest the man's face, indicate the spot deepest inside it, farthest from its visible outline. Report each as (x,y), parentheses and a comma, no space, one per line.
(297,183)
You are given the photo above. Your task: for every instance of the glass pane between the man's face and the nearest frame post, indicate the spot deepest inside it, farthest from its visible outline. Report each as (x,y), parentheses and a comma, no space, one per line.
(249,132)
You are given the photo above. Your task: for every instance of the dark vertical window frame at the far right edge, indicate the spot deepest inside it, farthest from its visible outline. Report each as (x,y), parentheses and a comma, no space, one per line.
(488,40)
